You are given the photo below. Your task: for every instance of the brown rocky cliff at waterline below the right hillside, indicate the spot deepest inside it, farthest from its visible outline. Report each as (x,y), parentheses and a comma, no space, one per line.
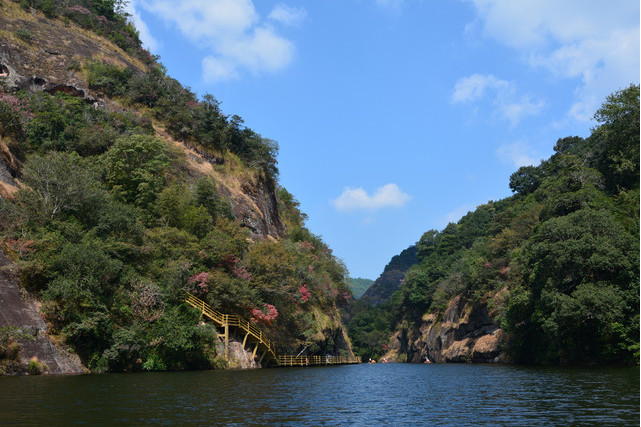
(466,333)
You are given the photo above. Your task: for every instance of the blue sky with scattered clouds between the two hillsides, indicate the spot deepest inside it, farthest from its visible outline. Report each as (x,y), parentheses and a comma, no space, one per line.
(394,117)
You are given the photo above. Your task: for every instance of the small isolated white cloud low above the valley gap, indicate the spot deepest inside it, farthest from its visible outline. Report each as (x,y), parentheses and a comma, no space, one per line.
(353,199)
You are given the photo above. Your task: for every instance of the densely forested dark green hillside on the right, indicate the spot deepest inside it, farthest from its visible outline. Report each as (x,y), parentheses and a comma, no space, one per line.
(556,265)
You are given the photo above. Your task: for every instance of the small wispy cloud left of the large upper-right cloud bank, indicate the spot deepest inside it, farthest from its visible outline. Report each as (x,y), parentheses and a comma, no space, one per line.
(506,102)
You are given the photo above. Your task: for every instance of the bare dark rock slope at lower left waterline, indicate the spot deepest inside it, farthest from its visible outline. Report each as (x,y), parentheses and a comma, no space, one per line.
(18,309)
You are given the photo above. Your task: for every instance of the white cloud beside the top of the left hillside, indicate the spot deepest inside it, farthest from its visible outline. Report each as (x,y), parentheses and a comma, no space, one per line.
(237,39)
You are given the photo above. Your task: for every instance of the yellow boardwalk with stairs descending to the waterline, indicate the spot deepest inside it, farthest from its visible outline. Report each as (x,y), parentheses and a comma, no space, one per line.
(262,346)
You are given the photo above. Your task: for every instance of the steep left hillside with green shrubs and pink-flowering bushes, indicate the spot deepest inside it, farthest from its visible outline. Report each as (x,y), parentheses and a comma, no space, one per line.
(121,189)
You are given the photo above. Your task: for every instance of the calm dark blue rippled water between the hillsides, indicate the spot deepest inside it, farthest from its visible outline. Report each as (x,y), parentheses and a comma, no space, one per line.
(394,394)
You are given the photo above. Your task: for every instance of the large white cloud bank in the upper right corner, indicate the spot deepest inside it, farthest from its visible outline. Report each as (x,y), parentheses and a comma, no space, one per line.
(591,40)
